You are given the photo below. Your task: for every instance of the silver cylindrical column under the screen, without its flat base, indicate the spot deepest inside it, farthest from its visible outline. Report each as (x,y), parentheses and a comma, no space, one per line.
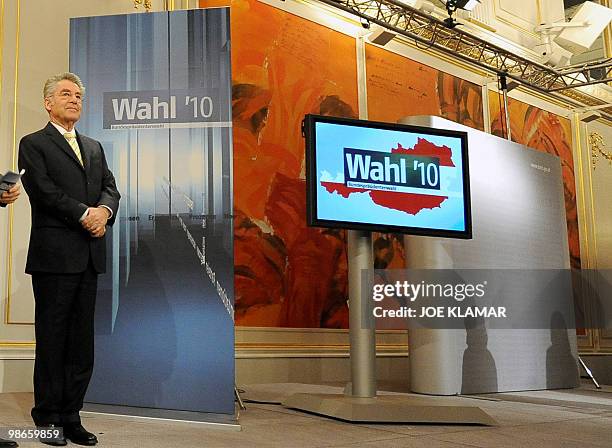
(362,329)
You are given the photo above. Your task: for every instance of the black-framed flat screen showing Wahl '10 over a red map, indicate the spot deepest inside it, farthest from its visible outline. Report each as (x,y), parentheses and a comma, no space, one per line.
(384,177)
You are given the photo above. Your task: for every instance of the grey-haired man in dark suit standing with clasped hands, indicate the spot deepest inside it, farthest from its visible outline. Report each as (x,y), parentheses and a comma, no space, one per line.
(73,198)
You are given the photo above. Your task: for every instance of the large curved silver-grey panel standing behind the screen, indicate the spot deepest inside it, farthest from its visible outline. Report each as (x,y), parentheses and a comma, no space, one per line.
(518,216)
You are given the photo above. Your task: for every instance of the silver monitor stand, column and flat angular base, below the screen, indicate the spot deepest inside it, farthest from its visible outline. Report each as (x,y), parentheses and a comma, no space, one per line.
(360,402)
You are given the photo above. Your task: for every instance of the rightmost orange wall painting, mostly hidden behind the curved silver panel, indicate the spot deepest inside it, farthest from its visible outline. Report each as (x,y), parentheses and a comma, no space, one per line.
(549,133)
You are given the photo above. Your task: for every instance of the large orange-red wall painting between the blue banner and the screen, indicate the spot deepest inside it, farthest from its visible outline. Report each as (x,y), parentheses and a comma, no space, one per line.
(283,67)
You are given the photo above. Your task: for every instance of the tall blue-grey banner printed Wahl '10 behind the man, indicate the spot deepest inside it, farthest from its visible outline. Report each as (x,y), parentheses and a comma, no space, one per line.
(158,98)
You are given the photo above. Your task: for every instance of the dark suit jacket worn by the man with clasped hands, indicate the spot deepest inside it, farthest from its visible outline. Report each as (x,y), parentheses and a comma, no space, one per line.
(60,190)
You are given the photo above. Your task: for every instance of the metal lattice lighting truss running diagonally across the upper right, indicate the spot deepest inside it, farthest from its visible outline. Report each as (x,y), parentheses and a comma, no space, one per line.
(432,32)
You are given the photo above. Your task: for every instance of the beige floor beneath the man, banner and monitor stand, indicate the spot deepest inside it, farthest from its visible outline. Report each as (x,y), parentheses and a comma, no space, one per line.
(570,418)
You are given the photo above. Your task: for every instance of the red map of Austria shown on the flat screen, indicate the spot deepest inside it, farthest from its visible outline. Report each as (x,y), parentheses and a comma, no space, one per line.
(410,203)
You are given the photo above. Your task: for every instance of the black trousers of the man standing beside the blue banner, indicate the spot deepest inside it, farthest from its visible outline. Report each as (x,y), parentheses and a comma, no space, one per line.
(64,325)
